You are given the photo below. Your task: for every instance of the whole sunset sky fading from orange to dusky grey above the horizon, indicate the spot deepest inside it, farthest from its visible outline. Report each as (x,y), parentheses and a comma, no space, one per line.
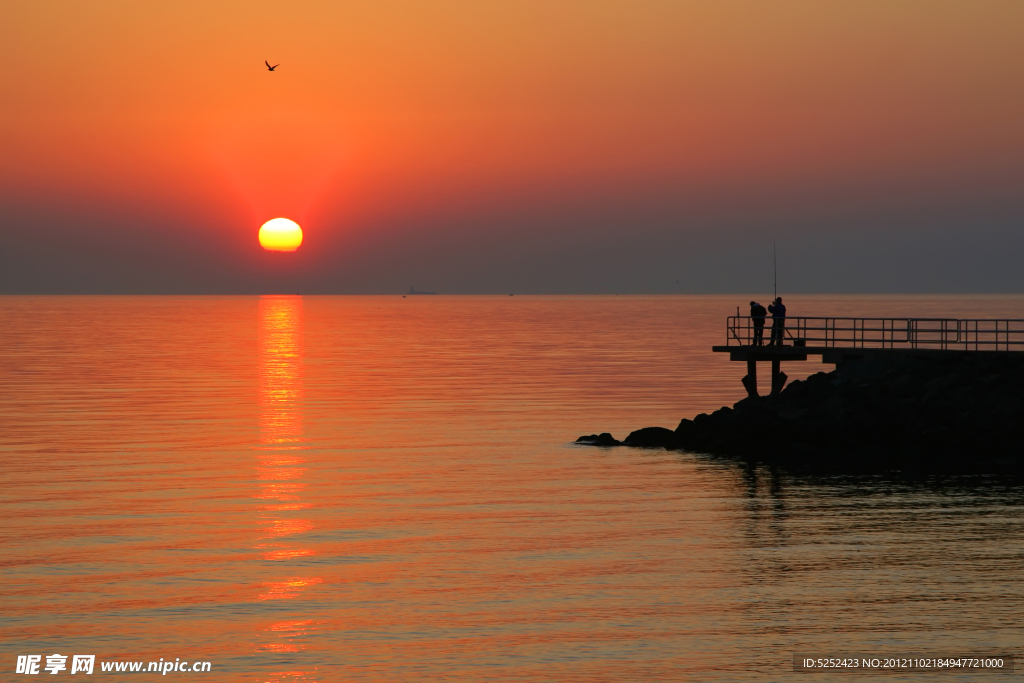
(525,147)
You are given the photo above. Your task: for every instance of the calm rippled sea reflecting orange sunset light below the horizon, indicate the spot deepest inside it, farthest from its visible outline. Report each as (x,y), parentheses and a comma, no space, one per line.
(385,489)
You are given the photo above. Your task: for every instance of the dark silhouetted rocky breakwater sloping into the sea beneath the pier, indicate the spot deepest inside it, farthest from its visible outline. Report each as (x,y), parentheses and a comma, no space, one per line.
(955,413)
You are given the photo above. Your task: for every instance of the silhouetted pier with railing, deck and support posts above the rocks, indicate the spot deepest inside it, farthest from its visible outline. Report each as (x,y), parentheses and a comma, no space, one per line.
(840,340)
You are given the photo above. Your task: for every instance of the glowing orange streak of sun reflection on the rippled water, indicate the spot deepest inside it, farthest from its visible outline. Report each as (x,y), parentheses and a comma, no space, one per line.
(280,468)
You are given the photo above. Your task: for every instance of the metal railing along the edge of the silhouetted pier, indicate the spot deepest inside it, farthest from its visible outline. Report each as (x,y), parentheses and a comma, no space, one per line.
(940,333)
